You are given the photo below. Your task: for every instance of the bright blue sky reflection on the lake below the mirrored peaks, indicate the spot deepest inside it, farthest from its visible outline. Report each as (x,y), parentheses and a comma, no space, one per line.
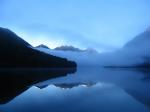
(98,98)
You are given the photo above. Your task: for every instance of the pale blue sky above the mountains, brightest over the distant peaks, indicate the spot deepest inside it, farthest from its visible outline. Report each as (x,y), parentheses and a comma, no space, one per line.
(100,24)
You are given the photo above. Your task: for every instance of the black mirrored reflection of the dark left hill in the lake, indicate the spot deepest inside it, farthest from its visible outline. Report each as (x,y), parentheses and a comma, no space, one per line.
(14,81)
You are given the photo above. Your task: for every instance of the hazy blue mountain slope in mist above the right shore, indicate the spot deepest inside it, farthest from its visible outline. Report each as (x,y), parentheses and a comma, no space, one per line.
(134,54)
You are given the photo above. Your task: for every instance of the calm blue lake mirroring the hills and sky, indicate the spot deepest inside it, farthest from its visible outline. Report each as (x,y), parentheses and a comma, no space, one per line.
(87,90)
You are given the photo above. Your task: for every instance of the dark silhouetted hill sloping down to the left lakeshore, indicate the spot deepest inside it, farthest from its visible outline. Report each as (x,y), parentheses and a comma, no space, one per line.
(15,52)
